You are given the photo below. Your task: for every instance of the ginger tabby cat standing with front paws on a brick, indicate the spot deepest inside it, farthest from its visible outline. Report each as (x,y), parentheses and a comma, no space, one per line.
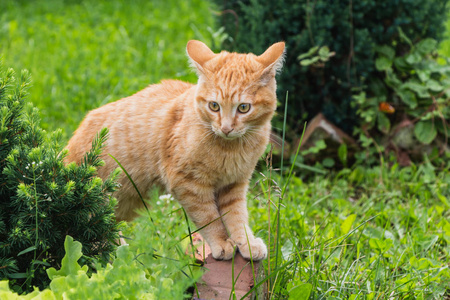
(199,142)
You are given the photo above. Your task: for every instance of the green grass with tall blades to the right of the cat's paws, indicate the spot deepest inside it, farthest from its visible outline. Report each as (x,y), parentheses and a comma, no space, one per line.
(359,234)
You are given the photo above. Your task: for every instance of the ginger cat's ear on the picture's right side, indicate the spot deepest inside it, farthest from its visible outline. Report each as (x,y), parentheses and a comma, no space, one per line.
(272,60)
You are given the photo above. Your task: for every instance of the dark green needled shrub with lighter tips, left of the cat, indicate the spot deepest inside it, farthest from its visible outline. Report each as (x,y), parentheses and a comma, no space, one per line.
(41,199)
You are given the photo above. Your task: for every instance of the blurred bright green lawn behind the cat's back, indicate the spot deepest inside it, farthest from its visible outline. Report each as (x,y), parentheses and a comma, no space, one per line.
(83,54)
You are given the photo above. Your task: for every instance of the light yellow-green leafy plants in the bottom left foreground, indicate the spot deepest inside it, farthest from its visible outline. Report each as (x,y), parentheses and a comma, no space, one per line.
(153,266)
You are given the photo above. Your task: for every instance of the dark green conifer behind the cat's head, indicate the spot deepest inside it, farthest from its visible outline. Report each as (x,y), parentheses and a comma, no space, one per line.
(352,29)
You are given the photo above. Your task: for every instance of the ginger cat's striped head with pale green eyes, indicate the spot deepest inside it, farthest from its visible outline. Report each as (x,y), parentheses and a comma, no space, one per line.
(235,92)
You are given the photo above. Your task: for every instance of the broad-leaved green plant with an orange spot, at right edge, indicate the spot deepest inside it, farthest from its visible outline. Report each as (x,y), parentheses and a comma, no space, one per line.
(410,108)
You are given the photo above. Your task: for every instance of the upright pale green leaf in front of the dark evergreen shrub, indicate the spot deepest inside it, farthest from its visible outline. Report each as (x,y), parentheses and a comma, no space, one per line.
(69,264)
